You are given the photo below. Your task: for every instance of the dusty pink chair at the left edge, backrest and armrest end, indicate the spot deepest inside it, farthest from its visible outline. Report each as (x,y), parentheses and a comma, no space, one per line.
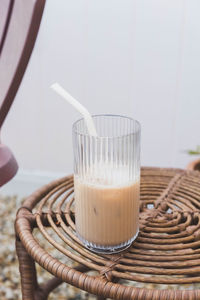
(19,25)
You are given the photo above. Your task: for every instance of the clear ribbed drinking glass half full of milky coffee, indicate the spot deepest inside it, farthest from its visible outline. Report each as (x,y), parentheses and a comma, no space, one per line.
(106,182)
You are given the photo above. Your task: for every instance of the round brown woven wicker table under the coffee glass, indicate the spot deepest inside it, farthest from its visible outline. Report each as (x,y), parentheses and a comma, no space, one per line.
(163,263)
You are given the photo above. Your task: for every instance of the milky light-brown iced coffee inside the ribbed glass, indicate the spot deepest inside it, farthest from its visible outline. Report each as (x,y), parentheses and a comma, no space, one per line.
(106,215)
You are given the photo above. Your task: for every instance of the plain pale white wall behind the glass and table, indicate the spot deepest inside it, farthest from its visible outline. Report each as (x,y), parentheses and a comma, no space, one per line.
(139,58)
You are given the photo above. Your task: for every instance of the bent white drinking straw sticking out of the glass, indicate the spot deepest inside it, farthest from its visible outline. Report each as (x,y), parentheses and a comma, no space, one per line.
(85,113)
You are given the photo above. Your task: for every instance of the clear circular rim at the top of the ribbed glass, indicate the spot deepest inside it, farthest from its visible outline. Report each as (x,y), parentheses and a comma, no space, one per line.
(137,131)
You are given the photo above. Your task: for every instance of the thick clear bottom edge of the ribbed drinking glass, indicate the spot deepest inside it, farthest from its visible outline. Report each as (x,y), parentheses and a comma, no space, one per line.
(107,249)
